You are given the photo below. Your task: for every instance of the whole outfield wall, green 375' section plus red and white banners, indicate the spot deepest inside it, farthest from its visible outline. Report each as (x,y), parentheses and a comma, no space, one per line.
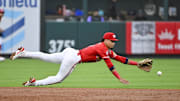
(136,38)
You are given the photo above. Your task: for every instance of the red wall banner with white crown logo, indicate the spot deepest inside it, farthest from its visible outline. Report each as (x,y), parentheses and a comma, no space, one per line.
(165,37)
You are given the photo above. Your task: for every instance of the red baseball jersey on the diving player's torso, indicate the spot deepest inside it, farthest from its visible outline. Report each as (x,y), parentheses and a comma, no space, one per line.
(95,53)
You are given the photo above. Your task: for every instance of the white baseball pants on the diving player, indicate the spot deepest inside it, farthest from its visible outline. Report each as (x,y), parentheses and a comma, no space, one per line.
(68,59)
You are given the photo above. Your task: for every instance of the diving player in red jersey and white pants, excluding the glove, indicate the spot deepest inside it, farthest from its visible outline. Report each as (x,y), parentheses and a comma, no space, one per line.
(70,57)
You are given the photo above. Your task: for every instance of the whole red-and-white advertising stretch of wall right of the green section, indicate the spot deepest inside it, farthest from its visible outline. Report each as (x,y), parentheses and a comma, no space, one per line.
(153,37)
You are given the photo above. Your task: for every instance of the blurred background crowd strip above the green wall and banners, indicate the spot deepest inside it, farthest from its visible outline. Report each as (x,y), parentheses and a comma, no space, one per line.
(114,12)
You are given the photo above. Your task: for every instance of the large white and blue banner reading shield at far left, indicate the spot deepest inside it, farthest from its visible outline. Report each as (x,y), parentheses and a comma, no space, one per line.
(20,25)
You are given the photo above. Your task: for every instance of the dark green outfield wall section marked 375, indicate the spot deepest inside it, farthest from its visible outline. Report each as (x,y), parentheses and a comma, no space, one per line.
(79,35)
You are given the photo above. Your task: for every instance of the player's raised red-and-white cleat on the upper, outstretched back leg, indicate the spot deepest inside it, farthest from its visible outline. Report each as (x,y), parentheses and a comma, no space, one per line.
(17,53)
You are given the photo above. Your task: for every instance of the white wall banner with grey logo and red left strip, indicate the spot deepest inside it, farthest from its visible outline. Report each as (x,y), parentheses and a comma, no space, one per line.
(140,38)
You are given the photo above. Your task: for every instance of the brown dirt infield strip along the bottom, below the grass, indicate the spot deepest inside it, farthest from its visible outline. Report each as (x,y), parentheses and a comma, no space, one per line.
(86,94)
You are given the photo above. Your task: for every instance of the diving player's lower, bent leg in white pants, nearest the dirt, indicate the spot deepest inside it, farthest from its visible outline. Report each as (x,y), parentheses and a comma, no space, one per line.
(70,59)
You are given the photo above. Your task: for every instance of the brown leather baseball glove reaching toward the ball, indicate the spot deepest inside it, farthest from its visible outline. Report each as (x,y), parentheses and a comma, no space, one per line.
(145,64)
